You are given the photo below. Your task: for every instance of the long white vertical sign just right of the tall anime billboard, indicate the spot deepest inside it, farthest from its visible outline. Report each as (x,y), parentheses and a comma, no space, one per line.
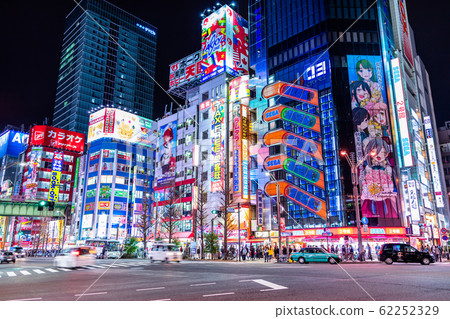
(401,113)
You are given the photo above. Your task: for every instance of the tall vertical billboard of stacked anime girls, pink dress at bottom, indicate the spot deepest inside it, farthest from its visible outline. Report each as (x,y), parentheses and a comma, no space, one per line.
(372,137)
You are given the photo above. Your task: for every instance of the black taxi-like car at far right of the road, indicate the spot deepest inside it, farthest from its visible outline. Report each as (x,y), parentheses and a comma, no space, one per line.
(404,253)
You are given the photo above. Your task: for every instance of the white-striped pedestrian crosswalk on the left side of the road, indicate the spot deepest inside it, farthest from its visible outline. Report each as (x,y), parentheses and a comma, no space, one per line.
(42,271)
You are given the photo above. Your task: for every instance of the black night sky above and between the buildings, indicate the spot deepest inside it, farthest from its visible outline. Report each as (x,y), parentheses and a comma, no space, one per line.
(31,38)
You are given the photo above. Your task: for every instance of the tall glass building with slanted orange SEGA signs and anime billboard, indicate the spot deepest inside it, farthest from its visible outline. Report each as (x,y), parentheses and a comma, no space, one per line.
(364,100)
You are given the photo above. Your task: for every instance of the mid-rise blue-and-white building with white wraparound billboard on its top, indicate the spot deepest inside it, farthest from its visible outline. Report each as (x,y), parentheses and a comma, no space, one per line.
(115,177)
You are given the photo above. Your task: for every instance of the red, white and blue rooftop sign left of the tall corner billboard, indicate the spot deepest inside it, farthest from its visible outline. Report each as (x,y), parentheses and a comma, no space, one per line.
(185,70)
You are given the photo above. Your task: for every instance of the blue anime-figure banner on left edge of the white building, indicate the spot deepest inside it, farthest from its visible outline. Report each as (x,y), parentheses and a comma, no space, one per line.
(167,148)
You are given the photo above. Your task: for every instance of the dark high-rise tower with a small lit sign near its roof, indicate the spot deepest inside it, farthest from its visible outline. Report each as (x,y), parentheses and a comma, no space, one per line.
(107,57)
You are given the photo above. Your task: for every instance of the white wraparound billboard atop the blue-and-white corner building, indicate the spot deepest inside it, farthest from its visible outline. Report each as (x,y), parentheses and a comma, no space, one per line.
(121,125)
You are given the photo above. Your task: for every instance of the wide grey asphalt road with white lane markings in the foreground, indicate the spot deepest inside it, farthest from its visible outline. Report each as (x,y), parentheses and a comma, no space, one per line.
(38,279)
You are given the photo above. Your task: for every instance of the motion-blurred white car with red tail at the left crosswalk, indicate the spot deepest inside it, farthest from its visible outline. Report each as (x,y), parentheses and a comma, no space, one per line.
(75,257)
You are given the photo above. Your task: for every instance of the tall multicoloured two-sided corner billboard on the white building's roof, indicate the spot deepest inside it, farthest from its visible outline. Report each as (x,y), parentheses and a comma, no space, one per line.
(224,44)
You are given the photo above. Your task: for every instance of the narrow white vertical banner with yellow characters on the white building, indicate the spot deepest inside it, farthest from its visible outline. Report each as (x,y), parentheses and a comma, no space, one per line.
(217,128)
